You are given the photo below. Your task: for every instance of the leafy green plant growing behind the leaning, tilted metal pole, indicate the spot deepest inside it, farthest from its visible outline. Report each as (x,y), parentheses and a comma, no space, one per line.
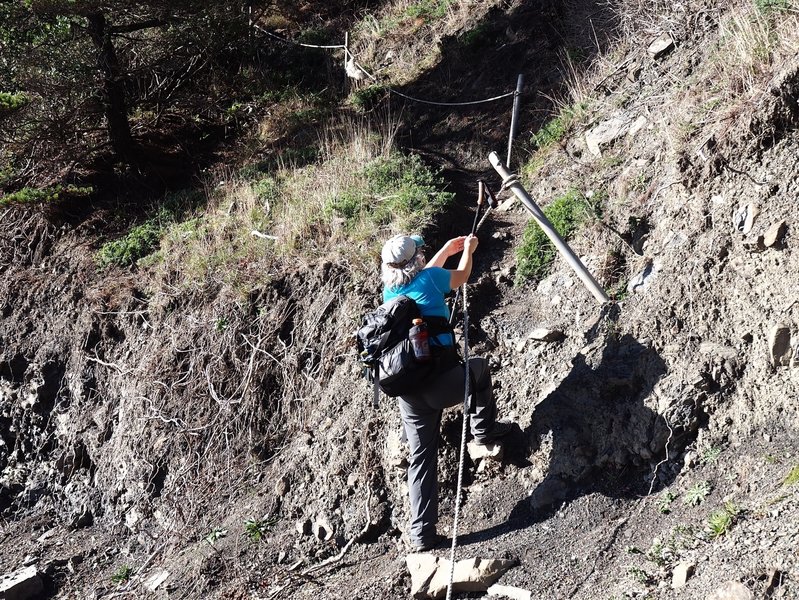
(535,252)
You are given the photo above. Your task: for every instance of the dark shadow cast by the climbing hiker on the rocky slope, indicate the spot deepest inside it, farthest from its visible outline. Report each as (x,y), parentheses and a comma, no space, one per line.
(600,434)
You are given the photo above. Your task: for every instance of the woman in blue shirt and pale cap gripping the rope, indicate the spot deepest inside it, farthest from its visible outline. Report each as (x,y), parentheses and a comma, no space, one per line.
(405,271)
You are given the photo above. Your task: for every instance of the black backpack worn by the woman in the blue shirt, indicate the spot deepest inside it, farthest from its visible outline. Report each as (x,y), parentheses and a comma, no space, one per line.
(386,352)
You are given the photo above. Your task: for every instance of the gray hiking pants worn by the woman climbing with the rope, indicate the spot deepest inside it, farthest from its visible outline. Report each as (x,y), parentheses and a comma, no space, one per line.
(421,418)
